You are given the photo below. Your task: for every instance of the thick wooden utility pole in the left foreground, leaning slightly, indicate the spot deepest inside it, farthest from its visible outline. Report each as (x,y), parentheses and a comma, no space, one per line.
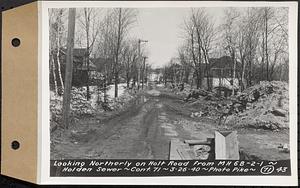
(69,68)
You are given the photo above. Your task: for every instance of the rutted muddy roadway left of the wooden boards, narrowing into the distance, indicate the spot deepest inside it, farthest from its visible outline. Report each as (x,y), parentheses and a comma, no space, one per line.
(143,131)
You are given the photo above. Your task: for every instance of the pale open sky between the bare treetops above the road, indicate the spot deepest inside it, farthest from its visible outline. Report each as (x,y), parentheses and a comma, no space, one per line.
(162,27)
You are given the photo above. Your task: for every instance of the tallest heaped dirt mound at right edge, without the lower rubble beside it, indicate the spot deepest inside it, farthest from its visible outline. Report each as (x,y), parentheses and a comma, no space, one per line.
(265,106)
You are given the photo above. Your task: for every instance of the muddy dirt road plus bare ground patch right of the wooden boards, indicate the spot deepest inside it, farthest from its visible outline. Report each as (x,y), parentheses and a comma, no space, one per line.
(145,128)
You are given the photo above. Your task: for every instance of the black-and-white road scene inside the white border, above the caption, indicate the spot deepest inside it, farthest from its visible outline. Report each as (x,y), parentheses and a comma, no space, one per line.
(169,83)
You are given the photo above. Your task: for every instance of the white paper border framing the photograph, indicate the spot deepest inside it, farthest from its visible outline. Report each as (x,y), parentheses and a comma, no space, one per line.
(44,98)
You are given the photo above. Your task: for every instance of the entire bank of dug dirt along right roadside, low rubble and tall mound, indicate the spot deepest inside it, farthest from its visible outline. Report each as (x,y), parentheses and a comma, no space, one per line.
(262,106)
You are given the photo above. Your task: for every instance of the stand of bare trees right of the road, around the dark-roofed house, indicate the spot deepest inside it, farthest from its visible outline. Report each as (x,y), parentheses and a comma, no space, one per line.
(253,37)
